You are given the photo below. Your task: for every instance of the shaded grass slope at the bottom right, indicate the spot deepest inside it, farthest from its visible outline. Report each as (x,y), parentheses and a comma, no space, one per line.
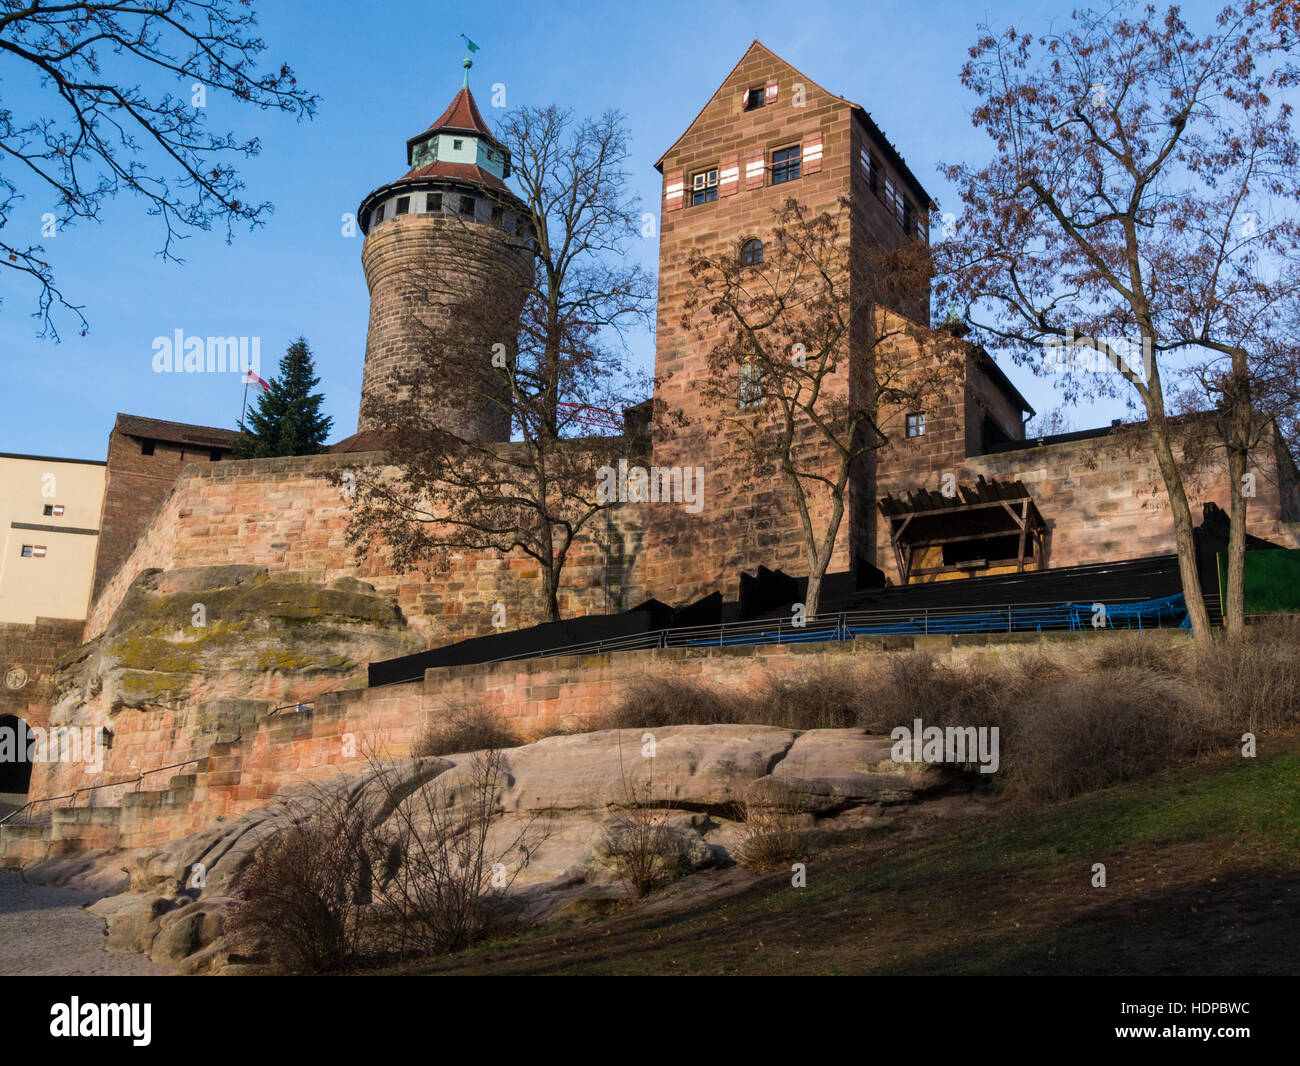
(1203,869)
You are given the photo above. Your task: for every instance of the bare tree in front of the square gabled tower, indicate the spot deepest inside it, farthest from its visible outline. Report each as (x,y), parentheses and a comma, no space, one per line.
(826,367)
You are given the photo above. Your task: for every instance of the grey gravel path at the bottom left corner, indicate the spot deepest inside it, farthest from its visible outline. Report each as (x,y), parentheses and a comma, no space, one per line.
(45,933)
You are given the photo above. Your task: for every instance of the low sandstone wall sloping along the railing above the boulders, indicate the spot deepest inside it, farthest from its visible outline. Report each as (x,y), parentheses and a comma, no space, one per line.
(535,697)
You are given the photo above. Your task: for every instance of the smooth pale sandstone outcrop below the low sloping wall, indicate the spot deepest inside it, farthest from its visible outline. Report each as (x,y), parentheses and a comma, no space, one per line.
(567,798)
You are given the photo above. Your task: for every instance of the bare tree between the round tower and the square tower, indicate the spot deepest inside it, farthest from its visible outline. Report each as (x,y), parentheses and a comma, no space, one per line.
(544,348)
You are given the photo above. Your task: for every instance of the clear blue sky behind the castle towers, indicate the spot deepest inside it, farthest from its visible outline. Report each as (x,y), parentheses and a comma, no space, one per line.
(384,72)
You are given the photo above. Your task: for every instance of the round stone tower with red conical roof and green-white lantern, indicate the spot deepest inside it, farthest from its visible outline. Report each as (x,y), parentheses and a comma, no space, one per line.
(449,229)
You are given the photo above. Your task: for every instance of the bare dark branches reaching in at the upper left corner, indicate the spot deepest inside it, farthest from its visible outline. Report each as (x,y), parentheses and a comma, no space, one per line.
(101,133)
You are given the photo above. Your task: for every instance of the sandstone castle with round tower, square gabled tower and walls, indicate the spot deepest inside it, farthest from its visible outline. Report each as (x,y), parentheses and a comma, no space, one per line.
(174,499)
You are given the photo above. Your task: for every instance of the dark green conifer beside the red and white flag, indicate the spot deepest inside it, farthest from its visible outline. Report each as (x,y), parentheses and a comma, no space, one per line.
(288,421)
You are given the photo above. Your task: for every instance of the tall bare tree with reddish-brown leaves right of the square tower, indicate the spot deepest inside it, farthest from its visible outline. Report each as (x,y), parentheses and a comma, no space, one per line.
(1139,205)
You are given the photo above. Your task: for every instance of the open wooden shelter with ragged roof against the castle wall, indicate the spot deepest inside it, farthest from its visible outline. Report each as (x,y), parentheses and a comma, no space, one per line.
(974,513)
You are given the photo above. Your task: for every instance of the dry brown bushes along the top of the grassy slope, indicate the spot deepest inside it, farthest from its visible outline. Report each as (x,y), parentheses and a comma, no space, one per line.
(1072,720)
